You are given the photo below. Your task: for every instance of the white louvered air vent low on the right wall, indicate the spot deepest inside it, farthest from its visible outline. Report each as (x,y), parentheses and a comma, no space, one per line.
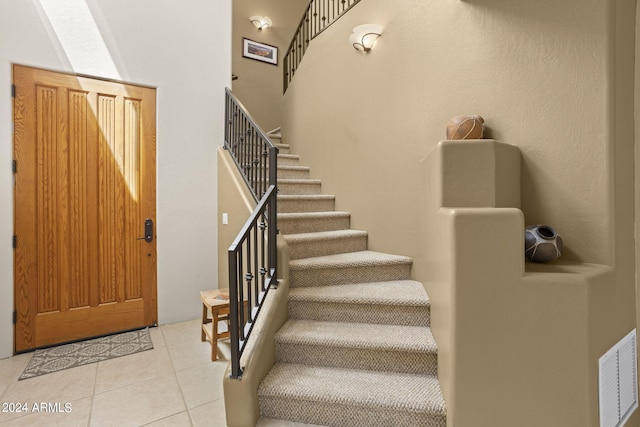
(618,382)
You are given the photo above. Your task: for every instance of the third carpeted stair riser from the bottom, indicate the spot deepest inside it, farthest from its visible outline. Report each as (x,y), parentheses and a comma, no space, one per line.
(359,313)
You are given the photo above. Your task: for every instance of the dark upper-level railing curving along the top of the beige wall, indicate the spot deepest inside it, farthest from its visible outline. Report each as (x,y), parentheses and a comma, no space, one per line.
(318,16)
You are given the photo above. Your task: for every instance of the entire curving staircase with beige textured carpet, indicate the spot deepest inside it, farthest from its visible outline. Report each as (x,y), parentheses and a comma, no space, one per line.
(357,349)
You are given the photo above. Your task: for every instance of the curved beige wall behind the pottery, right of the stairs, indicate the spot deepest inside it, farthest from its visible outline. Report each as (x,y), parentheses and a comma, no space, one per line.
(536,71)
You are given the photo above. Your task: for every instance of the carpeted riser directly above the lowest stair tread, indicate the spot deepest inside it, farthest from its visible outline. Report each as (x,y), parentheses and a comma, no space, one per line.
(373,359)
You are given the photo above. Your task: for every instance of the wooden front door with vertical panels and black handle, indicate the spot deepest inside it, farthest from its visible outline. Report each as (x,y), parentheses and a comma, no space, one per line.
(84,152)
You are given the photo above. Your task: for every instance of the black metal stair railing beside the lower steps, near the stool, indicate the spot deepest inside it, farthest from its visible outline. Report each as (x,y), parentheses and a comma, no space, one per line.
(253,254)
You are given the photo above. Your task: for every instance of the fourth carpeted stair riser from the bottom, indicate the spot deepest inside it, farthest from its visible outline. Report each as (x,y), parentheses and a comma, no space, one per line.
(351,274)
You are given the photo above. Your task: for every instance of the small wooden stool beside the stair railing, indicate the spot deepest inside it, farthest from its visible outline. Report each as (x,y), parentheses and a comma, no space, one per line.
(216,302)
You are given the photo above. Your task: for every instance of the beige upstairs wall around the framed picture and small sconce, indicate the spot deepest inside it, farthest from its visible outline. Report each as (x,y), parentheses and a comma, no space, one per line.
(259,85)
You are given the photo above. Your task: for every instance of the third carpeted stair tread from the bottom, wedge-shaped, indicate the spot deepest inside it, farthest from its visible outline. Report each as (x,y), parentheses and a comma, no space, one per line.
(398,292)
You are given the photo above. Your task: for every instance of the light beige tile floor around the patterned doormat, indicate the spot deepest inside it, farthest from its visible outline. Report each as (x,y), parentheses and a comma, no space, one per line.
(175,384)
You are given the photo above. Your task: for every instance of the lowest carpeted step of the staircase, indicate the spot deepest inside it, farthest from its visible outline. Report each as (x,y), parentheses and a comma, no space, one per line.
(289,385)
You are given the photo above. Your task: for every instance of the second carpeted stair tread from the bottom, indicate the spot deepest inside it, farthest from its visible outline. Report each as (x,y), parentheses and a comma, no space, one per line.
(358,335)
